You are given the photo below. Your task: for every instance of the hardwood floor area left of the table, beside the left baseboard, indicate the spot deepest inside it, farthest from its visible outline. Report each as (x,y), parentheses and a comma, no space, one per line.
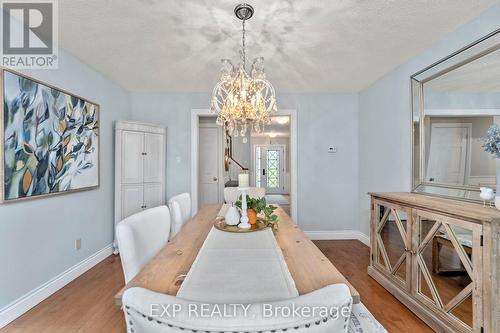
(84,305)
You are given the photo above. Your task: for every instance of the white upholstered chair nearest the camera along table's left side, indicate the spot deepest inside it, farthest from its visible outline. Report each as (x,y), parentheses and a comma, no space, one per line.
(140,237)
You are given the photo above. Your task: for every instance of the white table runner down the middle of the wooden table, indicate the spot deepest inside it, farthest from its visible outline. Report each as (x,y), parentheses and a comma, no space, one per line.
(239,268)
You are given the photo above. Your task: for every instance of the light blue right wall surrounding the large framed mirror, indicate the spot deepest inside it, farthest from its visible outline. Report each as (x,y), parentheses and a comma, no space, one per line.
(384,113)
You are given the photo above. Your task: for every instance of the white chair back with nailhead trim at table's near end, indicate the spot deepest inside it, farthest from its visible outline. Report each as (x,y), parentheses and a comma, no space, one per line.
(330,310)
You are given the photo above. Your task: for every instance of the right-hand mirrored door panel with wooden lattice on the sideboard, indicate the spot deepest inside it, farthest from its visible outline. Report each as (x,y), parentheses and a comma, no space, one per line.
(445,265)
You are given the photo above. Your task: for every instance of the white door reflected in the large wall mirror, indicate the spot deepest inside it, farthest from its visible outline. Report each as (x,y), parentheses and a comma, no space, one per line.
(448,153)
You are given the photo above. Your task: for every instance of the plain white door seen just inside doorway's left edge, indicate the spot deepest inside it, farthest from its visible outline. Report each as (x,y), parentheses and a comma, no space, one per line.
(210,164)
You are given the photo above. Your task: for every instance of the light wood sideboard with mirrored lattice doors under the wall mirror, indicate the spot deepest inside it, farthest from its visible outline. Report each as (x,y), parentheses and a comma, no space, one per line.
(439,257)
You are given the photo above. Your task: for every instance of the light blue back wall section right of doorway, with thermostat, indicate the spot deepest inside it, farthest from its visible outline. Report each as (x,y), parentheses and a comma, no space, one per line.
(327,183)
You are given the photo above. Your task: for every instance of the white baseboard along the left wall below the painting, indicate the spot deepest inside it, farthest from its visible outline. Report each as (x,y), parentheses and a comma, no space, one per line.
(18,307)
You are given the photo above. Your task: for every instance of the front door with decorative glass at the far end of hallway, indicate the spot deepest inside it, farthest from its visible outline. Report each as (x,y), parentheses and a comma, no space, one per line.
(270,168)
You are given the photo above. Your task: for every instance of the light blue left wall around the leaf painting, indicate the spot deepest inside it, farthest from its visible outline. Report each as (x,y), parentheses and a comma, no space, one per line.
(37,237)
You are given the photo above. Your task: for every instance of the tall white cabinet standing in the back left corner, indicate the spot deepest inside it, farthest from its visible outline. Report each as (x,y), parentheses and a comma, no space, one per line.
(140,156)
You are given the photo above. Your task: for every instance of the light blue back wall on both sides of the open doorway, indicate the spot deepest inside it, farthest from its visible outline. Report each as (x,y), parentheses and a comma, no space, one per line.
(327,188)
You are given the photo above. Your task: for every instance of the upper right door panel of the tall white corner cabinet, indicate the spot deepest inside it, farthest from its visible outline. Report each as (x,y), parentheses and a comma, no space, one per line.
(153,162)
